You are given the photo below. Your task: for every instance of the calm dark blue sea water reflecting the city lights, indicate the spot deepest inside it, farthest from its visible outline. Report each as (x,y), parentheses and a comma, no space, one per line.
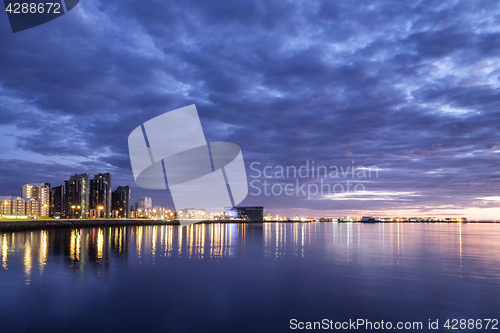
(247,277)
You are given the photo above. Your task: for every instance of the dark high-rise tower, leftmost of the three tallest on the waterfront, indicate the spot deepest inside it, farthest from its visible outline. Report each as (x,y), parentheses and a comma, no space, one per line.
(76,196)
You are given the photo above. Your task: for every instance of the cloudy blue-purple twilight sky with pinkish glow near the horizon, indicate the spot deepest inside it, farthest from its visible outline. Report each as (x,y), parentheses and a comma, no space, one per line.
(407,88)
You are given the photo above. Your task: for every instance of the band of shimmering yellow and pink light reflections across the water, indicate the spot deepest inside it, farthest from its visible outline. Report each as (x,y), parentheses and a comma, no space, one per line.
(465,245)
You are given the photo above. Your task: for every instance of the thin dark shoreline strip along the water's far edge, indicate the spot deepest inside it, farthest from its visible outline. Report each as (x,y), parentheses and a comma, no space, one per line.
(25,225)
